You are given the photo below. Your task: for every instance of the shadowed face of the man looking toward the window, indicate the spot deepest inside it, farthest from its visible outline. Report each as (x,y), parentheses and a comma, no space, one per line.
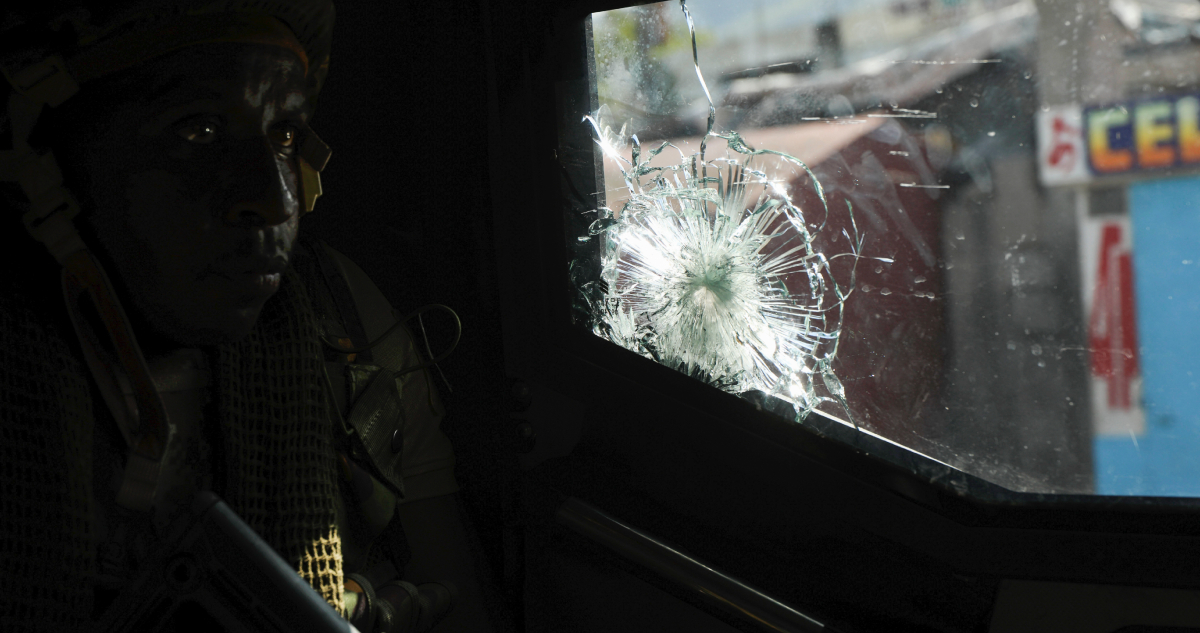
(191,185)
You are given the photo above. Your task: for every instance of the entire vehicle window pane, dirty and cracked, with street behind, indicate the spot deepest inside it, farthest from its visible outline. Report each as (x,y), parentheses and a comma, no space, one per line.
(969,227)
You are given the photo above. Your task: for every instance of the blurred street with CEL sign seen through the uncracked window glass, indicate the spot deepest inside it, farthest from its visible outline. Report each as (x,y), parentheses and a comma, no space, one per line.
(1021,180)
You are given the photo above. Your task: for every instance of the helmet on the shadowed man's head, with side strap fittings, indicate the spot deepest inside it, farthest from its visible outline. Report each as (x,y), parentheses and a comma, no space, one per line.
(47,53)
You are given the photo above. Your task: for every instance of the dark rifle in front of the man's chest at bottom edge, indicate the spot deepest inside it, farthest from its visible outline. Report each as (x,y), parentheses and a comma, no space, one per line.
(218,575)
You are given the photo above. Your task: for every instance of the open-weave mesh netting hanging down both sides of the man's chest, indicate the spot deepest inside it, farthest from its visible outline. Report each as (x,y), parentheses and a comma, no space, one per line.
(279,463)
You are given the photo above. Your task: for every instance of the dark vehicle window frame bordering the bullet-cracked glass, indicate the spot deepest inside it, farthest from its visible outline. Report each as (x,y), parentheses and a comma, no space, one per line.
(667,430)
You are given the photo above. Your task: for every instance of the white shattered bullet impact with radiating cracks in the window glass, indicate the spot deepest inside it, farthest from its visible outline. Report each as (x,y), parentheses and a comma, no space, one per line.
(730,293)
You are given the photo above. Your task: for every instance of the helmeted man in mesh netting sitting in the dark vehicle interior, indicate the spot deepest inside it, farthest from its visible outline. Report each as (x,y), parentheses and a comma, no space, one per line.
(177,333)
